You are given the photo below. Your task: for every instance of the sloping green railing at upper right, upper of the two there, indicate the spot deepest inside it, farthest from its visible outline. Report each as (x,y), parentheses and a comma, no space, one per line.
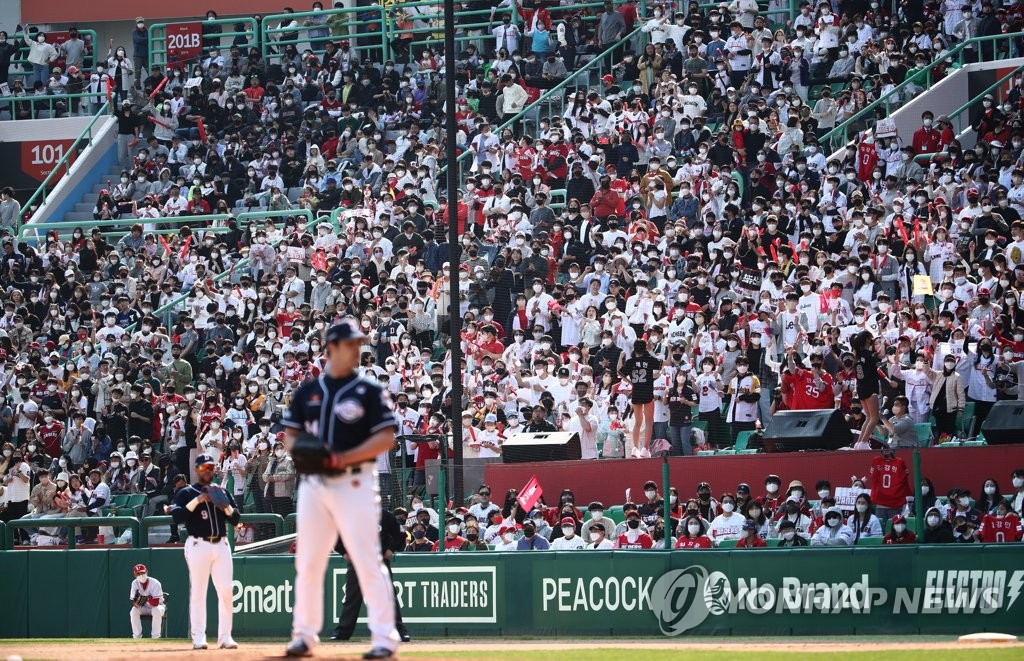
(886,105)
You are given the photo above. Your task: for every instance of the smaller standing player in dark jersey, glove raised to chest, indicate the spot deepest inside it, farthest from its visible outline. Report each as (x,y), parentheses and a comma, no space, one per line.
(207,512)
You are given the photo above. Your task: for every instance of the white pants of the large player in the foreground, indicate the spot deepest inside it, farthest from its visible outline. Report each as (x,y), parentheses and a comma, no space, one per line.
(329,507)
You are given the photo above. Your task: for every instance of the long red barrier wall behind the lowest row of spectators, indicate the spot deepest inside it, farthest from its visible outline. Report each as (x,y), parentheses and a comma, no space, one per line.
(607,480)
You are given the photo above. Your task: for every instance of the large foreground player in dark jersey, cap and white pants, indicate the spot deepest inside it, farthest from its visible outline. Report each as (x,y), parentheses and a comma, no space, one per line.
(354,419)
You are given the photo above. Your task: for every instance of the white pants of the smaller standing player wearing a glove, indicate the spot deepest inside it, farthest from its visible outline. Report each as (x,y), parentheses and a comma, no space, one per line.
(207,561)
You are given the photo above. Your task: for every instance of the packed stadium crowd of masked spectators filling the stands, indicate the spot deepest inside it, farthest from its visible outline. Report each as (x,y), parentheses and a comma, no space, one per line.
(661,267)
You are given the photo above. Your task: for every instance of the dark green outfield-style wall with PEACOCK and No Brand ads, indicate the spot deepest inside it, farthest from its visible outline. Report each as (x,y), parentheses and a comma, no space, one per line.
(84,594)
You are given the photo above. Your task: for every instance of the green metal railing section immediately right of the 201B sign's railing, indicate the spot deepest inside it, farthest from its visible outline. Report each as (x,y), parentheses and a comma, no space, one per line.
(349,22)
